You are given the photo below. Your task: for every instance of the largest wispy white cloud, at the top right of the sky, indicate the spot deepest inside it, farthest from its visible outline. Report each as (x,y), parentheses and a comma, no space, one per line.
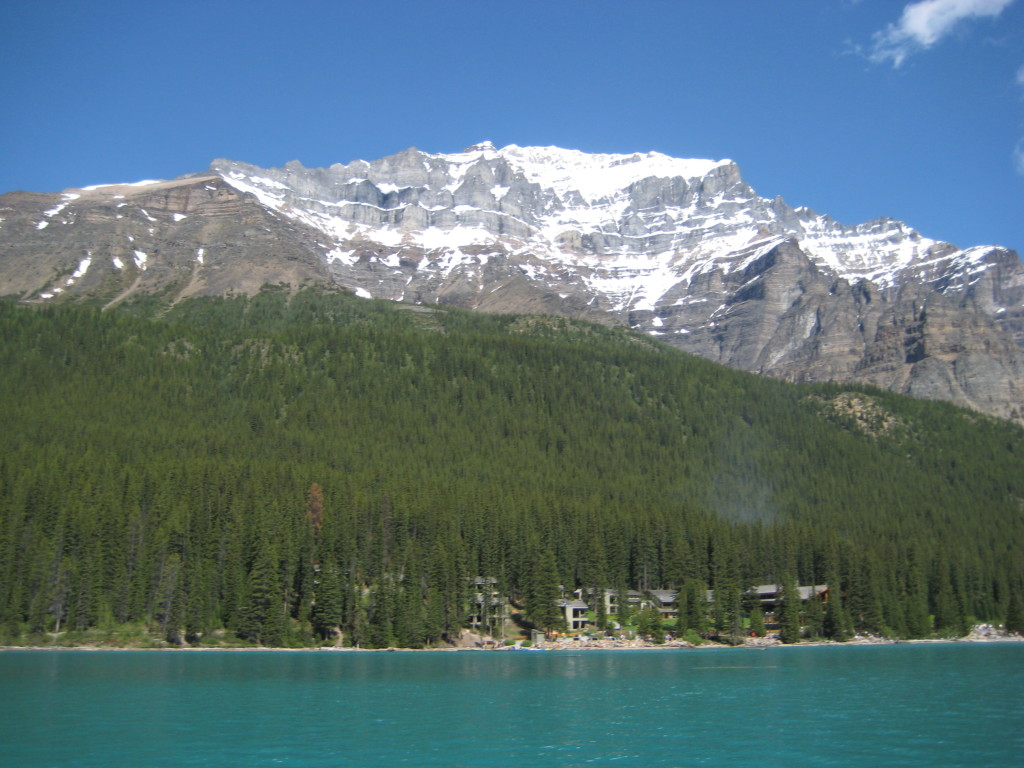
(926,23)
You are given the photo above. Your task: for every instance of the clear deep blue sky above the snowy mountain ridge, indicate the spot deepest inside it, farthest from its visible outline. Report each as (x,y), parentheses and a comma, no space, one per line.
(858,109)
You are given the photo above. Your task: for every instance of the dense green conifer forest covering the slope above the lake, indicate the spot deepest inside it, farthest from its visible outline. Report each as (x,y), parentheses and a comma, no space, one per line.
(296,468)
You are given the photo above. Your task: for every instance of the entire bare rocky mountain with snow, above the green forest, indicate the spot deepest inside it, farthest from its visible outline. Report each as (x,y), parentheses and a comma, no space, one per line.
(681,249)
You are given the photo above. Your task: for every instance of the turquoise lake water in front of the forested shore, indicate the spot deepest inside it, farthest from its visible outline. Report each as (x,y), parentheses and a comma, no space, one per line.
(949,705)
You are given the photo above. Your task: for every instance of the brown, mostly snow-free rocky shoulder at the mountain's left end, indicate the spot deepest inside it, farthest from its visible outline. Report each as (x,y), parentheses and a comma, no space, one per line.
(177,239)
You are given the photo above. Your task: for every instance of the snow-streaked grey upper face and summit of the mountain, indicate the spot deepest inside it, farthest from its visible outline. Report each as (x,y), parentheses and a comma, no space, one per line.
(630,228)
